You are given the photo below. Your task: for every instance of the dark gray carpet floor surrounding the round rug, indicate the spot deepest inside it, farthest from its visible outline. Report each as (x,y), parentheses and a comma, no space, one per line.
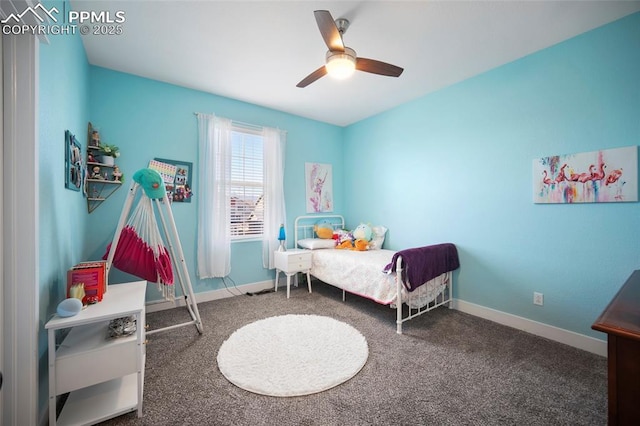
(448,368)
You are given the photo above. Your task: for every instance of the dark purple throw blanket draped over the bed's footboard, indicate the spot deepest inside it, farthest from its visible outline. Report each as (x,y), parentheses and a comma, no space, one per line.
(422,264)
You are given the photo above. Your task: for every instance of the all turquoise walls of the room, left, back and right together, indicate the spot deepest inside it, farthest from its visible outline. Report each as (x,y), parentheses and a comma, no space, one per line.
(452,166)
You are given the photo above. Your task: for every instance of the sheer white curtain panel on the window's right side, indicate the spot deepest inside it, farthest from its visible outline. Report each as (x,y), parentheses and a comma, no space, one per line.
(274,209)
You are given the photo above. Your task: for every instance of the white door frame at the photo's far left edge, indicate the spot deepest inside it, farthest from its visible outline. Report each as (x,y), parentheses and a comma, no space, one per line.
(20,225)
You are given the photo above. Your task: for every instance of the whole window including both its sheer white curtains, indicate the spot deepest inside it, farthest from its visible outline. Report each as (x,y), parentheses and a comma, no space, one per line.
(238,164)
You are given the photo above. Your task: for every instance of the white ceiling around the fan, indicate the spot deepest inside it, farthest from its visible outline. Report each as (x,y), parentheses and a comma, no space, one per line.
(257,51)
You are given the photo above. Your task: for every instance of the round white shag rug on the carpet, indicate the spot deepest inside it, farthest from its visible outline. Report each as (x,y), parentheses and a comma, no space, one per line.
(292,355)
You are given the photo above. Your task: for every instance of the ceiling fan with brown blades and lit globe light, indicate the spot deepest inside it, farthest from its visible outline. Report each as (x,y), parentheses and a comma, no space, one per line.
(341,61)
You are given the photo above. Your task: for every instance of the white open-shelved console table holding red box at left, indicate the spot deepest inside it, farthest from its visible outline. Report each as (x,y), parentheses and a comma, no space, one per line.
(105,377)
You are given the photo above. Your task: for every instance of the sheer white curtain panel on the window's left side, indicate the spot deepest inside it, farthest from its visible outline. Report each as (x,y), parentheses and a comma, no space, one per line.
(213,195)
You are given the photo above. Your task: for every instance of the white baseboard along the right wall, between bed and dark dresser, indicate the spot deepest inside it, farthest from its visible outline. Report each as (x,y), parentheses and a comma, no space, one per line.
(580,341)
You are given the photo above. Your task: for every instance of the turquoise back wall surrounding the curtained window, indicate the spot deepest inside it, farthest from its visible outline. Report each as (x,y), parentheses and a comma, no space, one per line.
(149,119)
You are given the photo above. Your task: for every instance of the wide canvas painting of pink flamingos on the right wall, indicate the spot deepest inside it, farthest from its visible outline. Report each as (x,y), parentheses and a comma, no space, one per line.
(608,175)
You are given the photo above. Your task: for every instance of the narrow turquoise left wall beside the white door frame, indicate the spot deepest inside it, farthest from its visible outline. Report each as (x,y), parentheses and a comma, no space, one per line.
(64,105)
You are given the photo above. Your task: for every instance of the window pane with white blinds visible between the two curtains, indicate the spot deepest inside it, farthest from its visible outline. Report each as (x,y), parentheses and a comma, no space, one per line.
(247,186)
